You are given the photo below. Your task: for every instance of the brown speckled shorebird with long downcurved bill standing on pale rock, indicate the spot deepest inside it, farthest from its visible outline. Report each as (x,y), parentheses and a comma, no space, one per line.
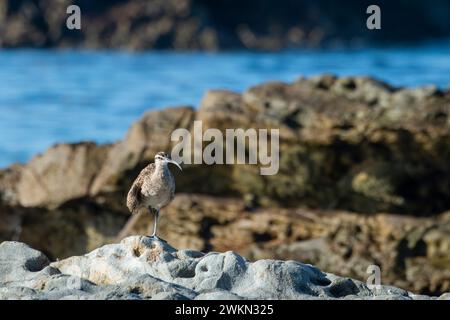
(153,189)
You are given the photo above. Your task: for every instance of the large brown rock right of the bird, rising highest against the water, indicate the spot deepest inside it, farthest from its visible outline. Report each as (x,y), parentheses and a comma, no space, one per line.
(342,144)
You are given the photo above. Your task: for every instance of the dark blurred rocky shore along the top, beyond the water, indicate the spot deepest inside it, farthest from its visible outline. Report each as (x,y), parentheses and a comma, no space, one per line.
(213,25)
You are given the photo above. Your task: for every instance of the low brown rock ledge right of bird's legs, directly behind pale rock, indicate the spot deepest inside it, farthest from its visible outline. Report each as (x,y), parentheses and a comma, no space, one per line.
(412,252)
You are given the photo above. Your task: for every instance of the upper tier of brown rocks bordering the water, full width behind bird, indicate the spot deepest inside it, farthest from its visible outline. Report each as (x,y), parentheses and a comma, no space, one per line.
(349,143)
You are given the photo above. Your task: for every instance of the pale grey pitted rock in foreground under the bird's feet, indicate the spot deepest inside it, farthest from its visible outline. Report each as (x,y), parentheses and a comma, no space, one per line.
(141,268)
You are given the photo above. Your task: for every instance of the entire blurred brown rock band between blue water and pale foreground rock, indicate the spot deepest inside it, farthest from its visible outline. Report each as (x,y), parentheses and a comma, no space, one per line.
(363,179)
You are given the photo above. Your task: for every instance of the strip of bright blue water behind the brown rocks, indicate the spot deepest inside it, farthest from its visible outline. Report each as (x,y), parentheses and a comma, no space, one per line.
(67,96)
